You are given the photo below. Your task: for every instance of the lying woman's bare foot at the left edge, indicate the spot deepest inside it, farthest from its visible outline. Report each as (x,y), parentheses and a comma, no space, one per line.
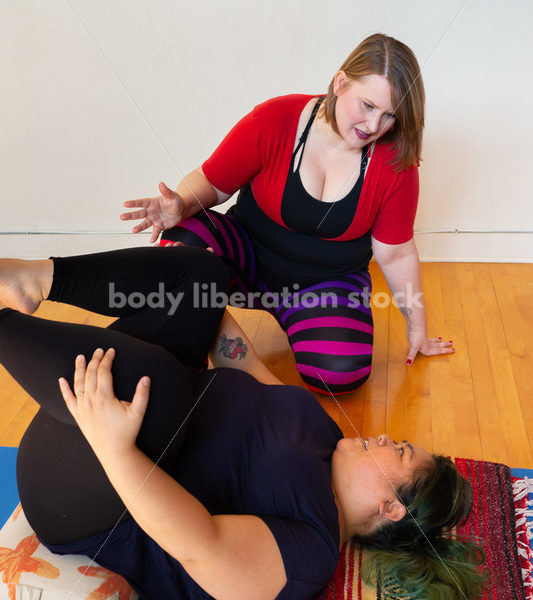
(21,286)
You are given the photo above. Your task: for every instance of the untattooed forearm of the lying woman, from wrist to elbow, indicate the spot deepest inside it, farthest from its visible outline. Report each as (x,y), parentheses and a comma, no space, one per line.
(171,516)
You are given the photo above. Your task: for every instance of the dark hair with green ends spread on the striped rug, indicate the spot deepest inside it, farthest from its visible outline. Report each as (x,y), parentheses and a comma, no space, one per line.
(418,557)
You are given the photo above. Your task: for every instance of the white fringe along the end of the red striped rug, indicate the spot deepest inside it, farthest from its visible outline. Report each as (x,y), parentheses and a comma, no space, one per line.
(522,488)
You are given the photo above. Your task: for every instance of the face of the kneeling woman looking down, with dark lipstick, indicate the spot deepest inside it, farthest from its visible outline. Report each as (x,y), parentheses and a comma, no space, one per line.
(364,110)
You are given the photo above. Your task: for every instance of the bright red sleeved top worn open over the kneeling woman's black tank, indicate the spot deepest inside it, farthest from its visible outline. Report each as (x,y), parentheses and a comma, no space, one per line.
(259,149)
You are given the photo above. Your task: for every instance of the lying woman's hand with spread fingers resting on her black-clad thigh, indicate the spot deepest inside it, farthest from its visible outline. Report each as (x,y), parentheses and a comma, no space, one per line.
(109,424)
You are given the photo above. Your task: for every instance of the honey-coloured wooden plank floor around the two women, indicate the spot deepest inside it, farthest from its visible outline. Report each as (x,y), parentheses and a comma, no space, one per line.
(477,403)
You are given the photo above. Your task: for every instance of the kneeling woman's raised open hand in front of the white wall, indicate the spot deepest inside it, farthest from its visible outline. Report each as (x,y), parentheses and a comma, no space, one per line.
(160,213)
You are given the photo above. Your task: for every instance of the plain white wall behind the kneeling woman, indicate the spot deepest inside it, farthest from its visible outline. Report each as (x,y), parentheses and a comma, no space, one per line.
(73,145)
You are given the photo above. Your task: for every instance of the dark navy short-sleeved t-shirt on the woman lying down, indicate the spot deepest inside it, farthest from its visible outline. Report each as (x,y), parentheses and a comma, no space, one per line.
(250,449)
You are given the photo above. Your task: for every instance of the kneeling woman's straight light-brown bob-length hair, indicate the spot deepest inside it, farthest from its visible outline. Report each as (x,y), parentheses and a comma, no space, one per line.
(383,55)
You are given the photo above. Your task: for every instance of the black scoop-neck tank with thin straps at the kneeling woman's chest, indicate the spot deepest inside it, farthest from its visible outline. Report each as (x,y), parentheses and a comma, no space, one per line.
(303,213)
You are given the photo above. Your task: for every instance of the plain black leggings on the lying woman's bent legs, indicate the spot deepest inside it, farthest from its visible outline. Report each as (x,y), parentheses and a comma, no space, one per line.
(63,489)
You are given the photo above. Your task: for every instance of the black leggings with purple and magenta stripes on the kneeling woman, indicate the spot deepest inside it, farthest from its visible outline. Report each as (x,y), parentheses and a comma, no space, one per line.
(329,325)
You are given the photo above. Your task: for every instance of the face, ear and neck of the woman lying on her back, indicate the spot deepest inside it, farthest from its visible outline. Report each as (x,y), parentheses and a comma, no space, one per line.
(366,476)
